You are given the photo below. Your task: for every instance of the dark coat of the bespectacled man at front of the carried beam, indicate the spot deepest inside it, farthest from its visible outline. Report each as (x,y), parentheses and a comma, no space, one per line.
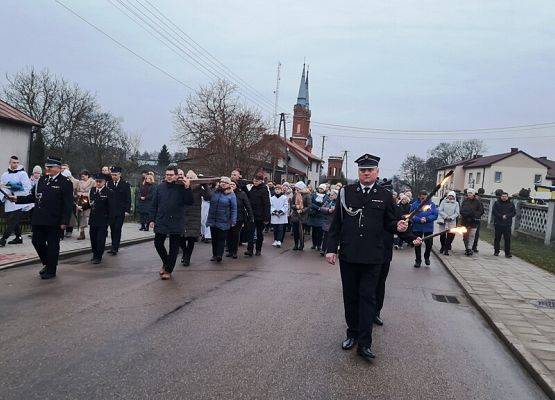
(168,208)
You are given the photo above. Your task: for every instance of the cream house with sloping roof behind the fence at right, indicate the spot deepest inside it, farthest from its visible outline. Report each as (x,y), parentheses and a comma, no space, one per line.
(509,171)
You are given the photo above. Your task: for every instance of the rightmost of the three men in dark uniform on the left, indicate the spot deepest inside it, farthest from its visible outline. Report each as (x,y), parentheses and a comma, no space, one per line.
(122,197)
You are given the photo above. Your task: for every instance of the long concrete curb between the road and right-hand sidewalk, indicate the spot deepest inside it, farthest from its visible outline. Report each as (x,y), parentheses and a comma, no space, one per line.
(534,367)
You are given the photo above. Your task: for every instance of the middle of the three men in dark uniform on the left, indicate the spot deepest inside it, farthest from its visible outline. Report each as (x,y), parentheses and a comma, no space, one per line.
(102,207)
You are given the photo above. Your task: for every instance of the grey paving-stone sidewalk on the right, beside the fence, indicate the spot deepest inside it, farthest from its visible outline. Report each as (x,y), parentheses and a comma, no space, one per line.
(504,291)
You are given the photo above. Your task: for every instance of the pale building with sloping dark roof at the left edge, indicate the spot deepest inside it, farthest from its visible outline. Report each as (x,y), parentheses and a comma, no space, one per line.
(16,135)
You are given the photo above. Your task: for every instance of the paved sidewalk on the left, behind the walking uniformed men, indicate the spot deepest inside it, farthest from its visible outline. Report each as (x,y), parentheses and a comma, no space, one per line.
(12,255)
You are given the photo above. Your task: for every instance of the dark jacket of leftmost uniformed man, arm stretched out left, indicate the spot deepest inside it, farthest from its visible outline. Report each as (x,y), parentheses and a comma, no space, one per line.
(53,201)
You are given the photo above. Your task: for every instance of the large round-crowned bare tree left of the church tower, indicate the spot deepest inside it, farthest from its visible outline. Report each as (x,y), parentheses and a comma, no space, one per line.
(216,122)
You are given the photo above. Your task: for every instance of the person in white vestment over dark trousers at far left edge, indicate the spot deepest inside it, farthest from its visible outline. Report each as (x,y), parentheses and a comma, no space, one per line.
(14,182)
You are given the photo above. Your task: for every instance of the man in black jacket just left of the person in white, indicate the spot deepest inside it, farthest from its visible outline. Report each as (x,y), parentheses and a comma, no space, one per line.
(259,196)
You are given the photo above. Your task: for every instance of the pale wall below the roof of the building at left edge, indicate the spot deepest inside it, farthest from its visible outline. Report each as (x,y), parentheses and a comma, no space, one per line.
(14,141)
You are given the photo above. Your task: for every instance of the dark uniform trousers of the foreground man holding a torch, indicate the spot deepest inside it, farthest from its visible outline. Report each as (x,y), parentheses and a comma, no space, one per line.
(360,282)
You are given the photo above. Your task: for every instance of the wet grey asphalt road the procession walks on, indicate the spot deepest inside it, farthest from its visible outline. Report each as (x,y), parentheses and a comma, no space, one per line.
(267,328)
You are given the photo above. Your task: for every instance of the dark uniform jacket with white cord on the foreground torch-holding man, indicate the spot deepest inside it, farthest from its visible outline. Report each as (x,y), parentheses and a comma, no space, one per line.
(361,237)
